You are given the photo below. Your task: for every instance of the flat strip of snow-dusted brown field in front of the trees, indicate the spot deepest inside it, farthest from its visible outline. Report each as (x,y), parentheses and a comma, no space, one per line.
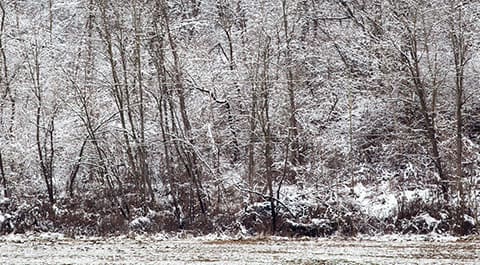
(56,249)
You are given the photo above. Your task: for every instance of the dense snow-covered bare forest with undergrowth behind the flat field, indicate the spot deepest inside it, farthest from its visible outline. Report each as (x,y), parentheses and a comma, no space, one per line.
(289,117)
